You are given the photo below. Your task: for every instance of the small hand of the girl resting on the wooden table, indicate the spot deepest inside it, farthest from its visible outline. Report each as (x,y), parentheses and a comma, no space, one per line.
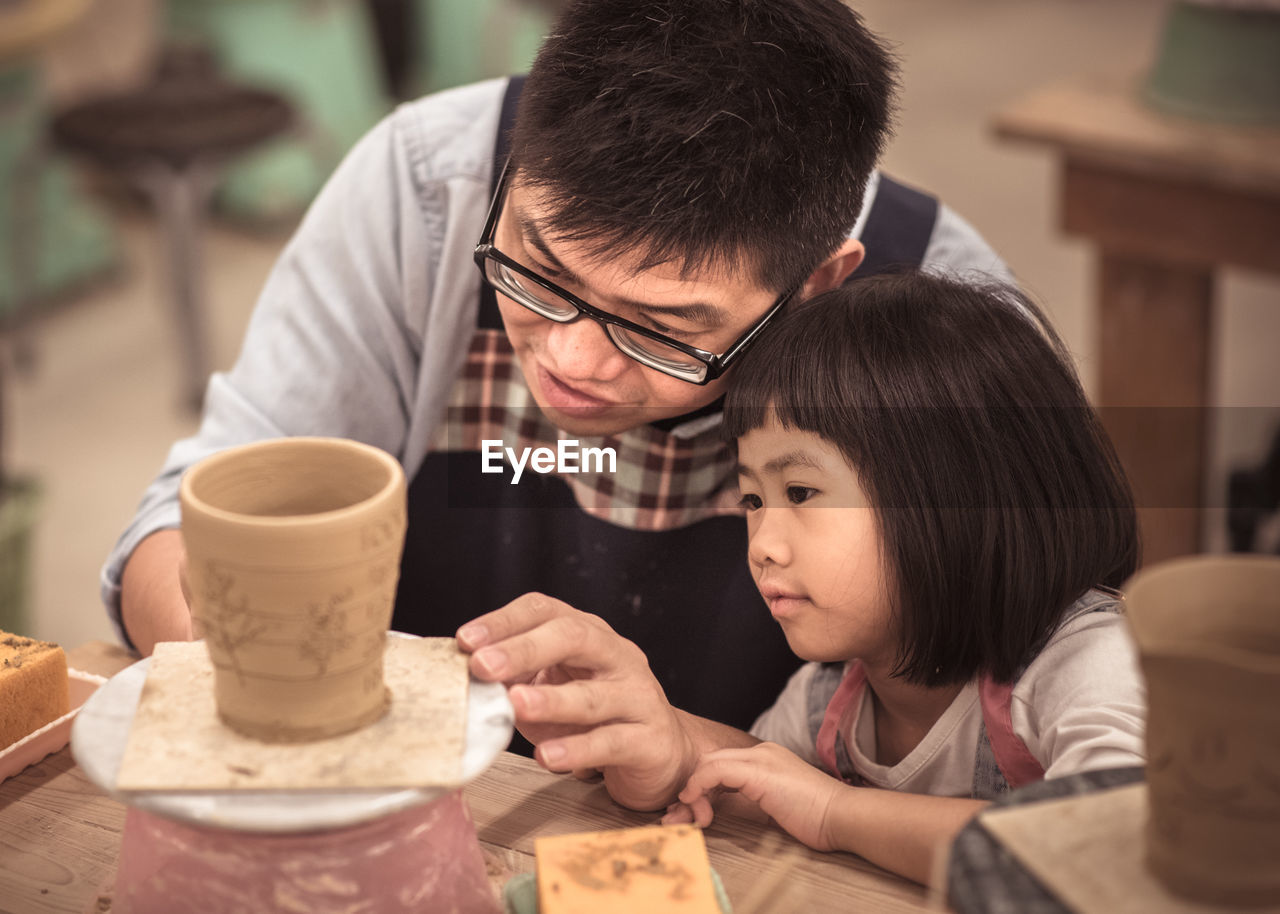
(797,796)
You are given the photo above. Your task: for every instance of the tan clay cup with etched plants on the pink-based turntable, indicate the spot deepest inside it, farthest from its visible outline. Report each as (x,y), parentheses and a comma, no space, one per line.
(294,551)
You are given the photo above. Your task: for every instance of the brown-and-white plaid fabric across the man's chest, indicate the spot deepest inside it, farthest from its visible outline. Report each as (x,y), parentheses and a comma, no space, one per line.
(664,479)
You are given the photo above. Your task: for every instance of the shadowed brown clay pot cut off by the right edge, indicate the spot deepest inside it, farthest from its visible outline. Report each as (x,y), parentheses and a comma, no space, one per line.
(1209,636)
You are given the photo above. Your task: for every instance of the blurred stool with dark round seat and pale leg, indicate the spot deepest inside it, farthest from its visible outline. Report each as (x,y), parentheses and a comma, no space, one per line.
(171,140)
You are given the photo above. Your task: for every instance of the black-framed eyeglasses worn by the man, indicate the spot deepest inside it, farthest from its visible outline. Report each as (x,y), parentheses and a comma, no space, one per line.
(715,365)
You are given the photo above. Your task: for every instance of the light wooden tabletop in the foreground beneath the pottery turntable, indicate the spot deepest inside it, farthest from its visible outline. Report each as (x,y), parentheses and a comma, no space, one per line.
(60,837)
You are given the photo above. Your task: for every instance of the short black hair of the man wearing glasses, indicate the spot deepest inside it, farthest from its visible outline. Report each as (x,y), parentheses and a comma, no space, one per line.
(733,134)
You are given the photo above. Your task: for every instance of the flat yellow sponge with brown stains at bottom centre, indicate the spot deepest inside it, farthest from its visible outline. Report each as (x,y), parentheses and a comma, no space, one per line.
(627,871)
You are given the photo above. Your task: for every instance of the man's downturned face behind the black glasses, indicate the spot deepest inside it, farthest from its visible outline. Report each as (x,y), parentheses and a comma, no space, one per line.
(579,378)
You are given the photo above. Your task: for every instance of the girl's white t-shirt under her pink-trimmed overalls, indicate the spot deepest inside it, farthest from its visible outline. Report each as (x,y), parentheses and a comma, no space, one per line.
(1081,706)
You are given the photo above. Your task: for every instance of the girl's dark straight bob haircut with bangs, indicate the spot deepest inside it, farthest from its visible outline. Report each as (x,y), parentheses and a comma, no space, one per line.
(999,496)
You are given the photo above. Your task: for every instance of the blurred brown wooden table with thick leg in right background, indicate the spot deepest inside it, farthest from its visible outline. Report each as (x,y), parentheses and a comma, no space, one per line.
(1168,202)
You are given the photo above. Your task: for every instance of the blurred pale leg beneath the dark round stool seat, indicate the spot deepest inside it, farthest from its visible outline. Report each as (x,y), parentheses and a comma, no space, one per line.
(180,198)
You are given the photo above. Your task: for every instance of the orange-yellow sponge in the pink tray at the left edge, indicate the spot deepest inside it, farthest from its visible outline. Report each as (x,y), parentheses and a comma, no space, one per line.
(34,688)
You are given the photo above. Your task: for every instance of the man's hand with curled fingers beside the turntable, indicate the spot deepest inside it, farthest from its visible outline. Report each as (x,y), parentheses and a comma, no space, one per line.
(584,697)
